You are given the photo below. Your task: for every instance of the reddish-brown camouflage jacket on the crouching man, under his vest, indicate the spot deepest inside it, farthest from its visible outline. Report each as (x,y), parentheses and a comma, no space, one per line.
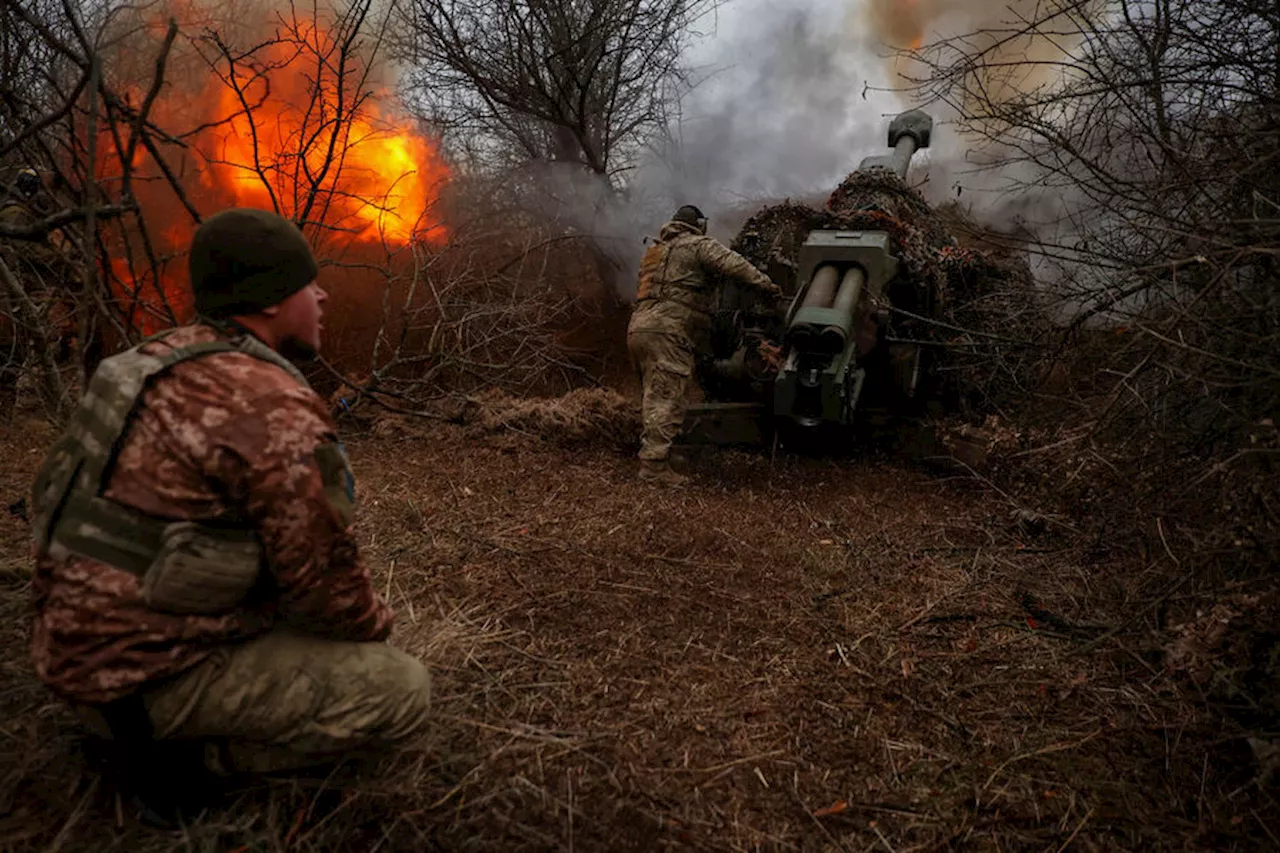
(223,435)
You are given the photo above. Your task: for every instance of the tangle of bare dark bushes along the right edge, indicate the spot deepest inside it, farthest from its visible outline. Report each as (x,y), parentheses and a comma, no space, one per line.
(1155,226)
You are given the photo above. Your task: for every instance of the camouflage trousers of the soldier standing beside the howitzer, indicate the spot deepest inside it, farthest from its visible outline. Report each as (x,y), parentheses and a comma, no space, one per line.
(666,364)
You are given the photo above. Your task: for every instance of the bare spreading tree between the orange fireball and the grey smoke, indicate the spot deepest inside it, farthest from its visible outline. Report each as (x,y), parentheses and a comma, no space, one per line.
(559,97)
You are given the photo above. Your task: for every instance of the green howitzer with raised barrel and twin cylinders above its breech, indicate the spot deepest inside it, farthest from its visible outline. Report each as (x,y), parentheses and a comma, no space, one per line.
(835,330)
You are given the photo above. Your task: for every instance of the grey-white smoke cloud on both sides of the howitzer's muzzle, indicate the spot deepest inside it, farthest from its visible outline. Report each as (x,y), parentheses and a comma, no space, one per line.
(798,94)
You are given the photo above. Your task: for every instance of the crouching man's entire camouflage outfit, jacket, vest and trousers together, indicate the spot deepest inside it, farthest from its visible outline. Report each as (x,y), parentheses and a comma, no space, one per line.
(290,669)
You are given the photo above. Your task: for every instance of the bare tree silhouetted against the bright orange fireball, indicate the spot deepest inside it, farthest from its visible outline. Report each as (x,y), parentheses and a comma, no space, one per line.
(298,148)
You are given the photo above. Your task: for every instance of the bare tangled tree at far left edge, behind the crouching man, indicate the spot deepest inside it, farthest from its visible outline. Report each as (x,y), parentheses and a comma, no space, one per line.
(66,120)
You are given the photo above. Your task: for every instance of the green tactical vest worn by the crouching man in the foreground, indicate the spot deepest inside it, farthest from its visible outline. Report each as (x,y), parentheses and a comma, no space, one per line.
(185,567)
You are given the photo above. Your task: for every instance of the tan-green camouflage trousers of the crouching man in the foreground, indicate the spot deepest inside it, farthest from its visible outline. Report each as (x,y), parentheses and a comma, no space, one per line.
(289,701)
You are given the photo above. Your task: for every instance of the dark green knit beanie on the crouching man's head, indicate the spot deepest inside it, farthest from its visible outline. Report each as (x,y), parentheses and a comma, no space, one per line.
(244,261)
